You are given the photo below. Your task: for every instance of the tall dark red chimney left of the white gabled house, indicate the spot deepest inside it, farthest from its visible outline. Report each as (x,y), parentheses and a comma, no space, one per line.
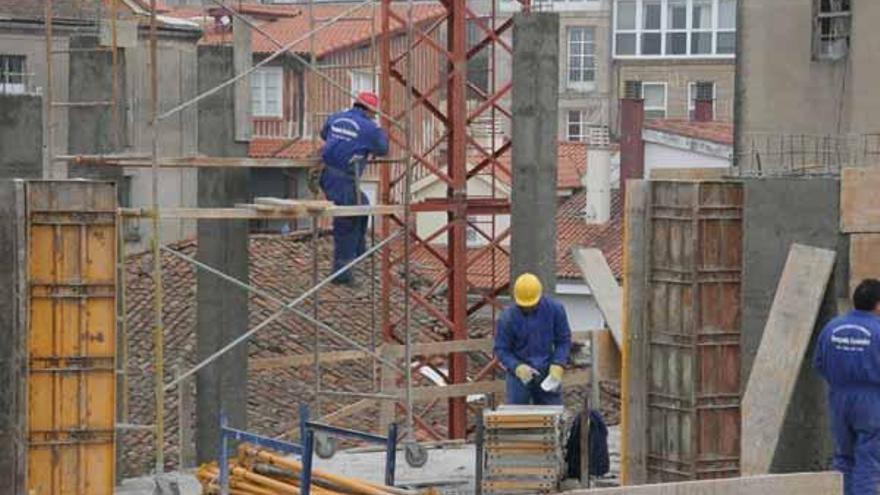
(632,147)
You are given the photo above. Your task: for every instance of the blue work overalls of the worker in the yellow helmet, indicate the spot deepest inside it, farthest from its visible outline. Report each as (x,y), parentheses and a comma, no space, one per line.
(538,338)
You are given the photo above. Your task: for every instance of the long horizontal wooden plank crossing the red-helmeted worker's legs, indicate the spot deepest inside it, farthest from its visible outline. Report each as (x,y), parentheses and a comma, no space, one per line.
(249,213)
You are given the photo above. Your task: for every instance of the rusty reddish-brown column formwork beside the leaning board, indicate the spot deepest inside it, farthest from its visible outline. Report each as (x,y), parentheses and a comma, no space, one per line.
(693,317)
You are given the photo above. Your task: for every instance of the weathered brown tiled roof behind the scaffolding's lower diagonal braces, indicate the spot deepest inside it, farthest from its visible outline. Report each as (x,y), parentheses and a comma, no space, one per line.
(280,265)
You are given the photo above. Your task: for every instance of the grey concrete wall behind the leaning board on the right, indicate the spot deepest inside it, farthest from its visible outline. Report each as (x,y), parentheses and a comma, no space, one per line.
(809,215)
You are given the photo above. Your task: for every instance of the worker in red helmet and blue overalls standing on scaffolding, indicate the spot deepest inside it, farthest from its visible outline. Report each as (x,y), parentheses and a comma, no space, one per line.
(350,137)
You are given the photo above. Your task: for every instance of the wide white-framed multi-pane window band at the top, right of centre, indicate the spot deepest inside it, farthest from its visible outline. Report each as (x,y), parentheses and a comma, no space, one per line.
(675,28)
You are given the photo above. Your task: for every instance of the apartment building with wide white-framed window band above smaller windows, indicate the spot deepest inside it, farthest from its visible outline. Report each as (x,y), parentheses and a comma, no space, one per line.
(670,45)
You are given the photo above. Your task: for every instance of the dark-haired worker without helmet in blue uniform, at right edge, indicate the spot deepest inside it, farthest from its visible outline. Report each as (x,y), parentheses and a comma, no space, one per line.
(848,357)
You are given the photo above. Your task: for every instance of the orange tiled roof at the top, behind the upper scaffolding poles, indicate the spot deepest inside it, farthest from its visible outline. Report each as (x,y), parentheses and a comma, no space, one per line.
(351,30)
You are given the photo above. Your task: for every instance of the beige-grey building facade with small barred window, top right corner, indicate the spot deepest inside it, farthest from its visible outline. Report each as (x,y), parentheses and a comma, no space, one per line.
(810,102)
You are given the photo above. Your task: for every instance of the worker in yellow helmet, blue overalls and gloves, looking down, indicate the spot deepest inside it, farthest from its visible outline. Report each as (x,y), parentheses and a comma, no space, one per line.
(533,342)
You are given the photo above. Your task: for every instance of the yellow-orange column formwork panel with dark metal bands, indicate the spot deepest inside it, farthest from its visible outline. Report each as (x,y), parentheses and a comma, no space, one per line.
(71,338)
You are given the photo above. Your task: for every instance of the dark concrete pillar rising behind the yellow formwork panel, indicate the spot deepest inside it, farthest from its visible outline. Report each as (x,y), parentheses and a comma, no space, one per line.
(93,129)
